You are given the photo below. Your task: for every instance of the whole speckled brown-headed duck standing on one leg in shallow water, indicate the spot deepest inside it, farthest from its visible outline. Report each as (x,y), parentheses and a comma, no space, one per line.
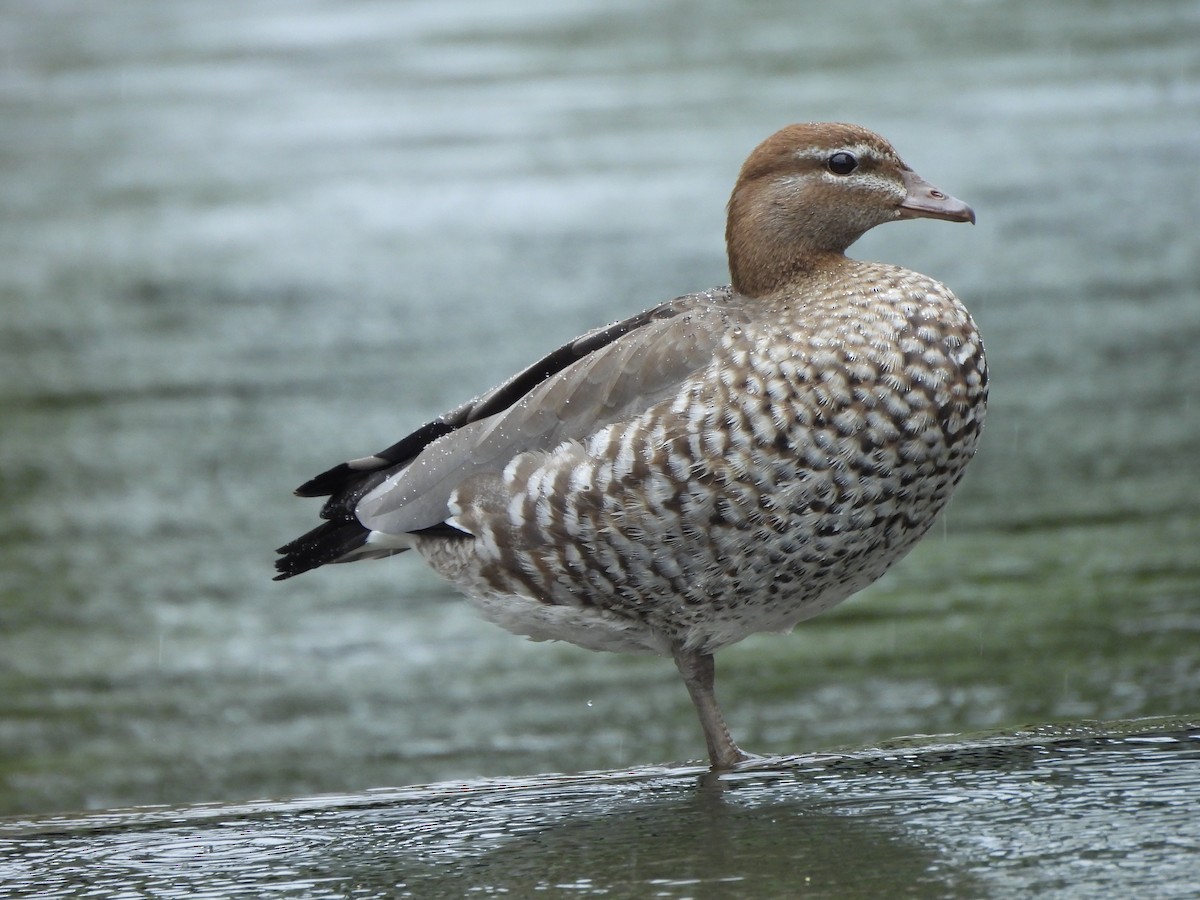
(729,463)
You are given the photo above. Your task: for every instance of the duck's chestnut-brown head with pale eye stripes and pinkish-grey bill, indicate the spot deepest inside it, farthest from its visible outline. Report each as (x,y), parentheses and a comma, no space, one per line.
(811,191)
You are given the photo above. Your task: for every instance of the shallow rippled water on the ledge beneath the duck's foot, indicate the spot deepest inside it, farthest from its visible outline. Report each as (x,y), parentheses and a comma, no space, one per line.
(1075,814)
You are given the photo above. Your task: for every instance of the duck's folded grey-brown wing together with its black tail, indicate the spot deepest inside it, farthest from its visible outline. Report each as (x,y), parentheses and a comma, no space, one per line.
(597,380)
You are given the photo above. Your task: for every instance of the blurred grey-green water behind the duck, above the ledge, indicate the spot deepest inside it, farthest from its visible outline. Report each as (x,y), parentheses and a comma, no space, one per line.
(241,243)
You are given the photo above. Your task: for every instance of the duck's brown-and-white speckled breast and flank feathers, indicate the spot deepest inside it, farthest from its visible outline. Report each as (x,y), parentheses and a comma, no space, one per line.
(813,453)
